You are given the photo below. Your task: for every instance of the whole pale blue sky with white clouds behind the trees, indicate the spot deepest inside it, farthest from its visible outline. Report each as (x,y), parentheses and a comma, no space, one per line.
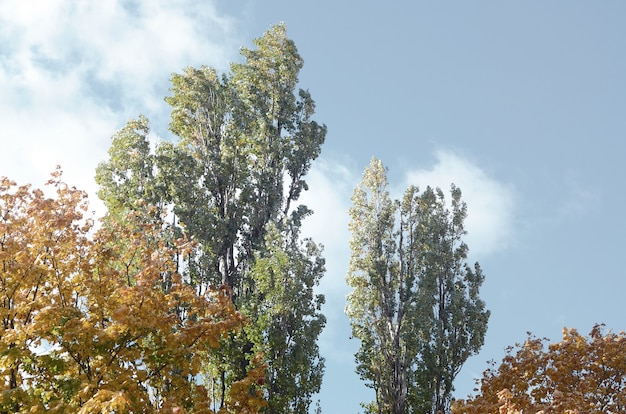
(520,104)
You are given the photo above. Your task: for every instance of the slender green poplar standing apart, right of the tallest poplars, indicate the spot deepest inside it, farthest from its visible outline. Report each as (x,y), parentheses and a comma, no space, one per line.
(414,305)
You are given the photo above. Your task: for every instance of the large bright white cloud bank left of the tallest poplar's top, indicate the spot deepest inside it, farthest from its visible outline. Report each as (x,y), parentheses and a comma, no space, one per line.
(73,72)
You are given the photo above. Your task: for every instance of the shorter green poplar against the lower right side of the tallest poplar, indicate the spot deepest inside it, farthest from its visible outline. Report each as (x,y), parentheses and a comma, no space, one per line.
(286,313)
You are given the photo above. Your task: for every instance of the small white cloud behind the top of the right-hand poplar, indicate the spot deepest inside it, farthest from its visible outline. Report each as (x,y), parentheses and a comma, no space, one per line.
(490,203)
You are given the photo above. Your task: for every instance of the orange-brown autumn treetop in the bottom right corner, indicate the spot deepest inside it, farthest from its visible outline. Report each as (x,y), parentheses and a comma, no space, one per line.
(581,375)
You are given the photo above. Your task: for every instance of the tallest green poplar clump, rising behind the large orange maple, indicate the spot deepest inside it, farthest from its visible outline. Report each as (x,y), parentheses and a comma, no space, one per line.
(231,182)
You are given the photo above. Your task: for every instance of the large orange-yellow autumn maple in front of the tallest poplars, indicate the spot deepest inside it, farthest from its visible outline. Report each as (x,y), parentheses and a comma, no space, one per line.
(101,321)
